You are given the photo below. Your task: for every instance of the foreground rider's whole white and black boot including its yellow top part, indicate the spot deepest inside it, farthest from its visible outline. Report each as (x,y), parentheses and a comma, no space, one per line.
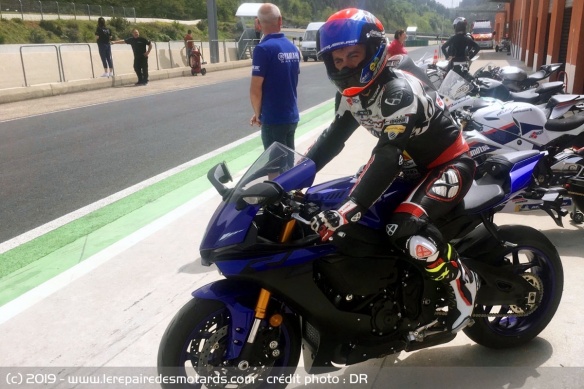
(461,284)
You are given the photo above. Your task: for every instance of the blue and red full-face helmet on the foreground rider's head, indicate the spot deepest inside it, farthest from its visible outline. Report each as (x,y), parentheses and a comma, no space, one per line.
(350,27)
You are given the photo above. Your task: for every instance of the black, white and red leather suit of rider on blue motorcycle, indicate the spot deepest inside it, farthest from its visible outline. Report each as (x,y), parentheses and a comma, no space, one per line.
(410,124)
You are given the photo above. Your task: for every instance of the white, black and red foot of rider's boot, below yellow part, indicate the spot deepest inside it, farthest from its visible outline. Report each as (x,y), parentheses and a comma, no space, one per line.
(461,297)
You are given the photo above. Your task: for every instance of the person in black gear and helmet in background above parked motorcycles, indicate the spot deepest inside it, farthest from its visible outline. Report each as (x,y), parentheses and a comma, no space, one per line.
(460,47)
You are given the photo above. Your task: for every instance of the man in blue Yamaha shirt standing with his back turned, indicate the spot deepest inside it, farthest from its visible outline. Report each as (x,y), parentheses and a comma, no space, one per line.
(275,69)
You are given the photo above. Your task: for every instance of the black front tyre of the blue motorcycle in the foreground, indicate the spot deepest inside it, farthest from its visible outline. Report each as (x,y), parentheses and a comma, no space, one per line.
(200,322)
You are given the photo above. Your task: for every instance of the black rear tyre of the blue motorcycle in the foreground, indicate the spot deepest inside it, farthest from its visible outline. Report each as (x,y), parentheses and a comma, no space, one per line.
(547,274)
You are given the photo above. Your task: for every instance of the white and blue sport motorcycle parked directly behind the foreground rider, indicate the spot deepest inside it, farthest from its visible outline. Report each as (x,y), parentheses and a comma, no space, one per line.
(495,127)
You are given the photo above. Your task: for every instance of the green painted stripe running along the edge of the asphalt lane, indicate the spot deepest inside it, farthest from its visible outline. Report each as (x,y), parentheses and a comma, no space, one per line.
(32,263)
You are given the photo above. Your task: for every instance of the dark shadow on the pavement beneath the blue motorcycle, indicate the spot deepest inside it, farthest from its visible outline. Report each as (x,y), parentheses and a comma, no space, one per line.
(455,367)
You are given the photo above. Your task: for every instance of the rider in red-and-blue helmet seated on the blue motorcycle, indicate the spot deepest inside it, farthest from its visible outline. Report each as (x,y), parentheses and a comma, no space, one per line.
(409,123)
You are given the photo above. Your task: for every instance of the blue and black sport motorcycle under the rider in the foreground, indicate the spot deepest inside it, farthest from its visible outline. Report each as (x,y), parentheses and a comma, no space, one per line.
(352,298)
